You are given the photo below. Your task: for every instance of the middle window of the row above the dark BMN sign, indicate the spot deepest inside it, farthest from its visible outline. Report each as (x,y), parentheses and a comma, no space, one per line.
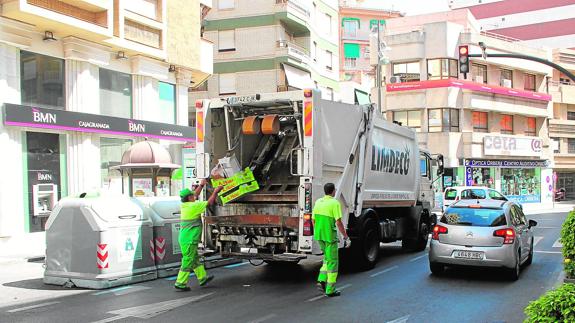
(115,93)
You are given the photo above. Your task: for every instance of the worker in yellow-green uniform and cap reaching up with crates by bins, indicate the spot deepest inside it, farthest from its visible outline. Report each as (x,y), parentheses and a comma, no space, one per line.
(190,235)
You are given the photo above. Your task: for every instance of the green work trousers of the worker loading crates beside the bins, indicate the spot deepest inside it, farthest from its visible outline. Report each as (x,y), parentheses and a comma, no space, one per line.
(189,240)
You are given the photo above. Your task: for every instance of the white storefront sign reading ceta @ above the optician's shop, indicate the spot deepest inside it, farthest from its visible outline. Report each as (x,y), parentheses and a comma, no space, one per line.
(512,146)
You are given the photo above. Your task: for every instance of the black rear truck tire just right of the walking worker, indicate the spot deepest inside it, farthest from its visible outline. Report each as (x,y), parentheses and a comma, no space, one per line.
(365,248)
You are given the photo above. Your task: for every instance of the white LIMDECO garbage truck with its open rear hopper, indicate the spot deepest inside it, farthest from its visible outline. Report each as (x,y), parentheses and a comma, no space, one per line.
(295,142)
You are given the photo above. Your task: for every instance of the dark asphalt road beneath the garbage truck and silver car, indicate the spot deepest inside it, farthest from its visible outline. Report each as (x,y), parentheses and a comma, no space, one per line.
(399,289)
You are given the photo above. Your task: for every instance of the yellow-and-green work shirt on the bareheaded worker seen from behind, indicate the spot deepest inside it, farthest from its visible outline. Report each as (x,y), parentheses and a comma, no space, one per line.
(326,212)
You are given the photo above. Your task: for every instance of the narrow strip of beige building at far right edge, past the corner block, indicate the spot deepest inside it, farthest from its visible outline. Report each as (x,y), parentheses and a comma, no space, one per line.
(562,126)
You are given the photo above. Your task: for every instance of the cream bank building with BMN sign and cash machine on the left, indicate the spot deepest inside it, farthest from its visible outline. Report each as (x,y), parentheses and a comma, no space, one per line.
(80,81)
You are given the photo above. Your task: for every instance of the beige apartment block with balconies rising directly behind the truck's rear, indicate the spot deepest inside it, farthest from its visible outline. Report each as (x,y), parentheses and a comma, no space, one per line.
(263,46)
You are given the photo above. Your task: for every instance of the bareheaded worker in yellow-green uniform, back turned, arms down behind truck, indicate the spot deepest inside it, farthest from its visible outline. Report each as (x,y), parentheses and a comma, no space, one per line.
(326,217)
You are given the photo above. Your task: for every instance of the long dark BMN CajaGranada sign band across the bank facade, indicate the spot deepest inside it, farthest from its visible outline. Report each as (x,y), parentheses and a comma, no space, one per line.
(26,116)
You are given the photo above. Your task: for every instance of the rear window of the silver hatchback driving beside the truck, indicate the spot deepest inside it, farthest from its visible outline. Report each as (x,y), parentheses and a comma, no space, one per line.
(476,217)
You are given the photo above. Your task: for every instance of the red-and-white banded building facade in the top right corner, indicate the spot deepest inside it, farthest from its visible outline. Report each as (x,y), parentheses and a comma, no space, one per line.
(547,23)
